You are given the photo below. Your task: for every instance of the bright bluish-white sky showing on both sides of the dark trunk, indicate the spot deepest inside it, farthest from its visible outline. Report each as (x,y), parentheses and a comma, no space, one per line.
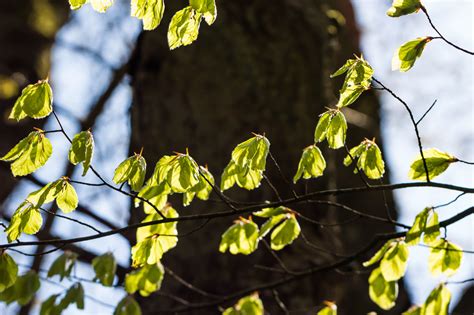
(442,73)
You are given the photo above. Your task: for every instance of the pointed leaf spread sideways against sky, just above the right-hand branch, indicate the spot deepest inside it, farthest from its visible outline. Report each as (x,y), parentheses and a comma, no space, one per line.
(436,162)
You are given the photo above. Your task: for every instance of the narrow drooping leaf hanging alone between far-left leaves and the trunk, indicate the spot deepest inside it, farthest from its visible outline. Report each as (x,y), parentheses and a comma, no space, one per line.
(82,150)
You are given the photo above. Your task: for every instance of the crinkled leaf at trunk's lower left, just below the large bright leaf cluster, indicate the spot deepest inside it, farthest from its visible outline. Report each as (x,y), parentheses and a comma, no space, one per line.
(145,280)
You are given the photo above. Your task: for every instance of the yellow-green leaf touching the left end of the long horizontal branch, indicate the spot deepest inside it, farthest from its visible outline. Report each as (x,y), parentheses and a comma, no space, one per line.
(26,219)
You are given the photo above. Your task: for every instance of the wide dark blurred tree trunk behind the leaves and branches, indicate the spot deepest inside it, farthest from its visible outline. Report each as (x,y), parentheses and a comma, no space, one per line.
(261,68)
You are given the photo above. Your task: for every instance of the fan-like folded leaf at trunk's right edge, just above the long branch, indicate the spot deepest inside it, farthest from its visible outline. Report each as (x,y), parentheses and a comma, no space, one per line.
(369,159)
